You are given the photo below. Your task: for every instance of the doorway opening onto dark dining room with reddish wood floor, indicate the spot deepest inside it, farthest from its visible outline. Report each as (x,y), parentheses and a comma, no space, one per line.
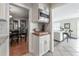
(18,32)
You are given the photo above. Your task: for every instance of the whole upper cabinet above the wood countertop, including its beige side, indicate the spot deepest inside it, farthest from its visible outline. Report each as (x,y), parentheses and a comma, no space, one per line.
(40,12)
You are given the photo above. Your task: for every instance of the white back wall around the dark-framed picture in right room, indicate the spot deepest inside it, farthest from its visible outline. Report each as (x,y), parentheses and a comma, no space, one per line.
(73,25)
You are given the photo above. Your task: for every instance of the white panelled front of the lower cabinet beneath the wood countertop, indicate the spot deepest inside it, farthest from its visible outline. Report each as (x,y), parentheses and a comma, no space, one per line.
(44,44)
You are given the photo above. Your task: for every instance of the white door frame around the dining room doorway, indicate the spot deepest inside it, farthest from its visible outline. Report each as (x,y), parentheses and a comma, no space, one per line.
(29,20)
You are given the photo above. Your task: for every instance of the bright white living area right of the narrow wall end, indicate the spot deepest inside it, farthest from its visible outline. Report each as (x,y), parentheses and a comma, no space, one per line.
(66,30)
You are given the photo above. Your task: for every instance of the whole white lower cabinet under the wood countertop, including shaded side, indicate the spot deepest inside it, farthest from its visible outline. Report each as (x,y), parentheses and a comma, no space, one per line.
(40,44)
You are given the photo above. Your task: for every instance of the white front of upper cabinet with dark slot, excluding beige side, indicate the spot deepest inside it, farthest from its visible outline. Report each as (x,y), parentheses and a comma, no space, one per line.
(43,12)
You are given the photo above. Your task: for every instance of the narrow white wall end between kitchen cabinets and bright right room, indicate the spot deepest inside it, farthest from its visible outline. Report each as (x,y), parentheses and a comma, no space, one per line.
(51,30)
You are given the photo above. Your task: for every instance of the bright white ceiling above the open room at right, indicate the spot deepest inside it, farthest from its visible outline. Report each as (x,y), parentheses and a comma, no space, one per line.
(66,11)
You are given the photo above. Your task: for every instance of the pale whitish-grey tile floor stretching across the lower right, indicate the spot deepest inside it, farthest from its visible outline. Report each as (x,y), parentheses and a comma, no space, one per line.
(70,48)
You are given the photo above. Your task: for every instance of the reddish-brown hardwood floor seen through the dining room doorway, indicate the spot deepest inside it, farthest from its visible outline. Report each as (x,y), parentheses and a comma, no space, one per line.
(19,49)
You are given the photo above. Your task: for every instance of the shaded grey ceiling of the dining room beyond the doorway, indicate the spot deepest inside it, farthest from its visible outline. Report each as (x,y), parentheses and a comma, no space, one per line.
(18,12)
